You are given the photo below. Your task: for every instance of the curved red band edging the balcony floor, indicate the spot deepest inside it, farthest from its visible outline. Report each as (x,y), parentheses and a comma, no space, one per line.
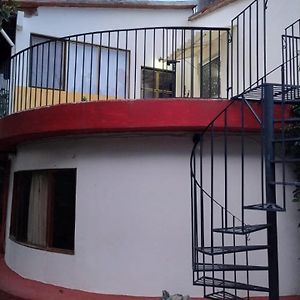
(121,116)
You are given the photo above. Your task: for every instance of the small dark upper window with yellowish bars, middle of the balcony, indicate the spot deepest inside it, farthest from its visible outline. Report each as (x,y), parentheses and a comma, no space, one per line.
(158,83)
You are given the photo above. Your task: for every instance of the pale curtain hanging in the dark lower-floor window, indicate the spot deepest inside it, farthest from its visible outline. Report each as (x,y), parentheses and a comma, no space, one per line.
(37,211)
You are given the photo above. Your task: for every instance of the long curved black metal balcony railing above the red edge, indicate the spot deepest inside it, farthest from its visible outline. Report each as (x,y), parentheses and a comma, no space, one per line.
(185,62)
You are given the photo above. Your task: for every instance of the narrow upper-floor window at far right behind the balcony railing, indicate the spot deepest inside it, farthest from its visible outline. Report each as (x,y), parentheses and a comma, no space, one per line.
(211,79)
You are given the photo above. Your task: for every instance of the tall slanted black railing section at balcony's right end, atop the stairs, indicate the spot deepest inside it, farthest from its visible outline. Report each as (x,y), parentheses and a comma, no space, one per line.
(248,48)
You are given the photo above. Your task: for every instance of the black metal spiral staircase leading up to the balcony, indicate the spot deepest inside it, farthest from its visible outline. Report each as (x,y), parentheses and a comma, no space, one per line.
(235,200)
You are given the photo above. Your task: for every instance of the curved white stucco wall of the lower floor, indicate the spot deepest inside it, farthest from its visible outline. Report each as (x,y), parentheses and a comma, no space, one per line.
(133,228)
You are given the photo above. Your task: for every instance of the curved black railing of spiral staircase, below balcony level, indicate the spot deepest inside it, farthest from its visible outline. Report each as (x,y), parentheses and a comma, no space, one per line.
(223,175)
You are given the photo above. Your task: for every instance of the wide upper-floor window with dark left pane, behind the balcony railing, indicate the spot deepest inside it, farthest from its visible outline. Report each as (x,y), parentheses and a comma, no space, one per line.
(79,67)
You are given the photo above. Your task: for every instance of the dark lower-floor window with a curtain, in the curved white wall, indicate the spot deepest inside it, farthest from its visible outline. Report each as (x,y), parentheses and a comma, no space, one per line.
(43,209)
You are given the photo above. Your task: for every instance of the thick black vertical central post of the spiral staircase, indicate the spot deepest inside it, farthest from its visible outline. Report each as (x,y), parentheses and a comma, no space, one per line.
(268,131)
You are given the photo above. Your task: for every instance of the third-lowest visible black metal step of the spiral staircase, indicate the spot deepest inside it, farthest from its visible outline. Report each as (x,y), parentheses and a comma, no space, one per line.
(226,267)
